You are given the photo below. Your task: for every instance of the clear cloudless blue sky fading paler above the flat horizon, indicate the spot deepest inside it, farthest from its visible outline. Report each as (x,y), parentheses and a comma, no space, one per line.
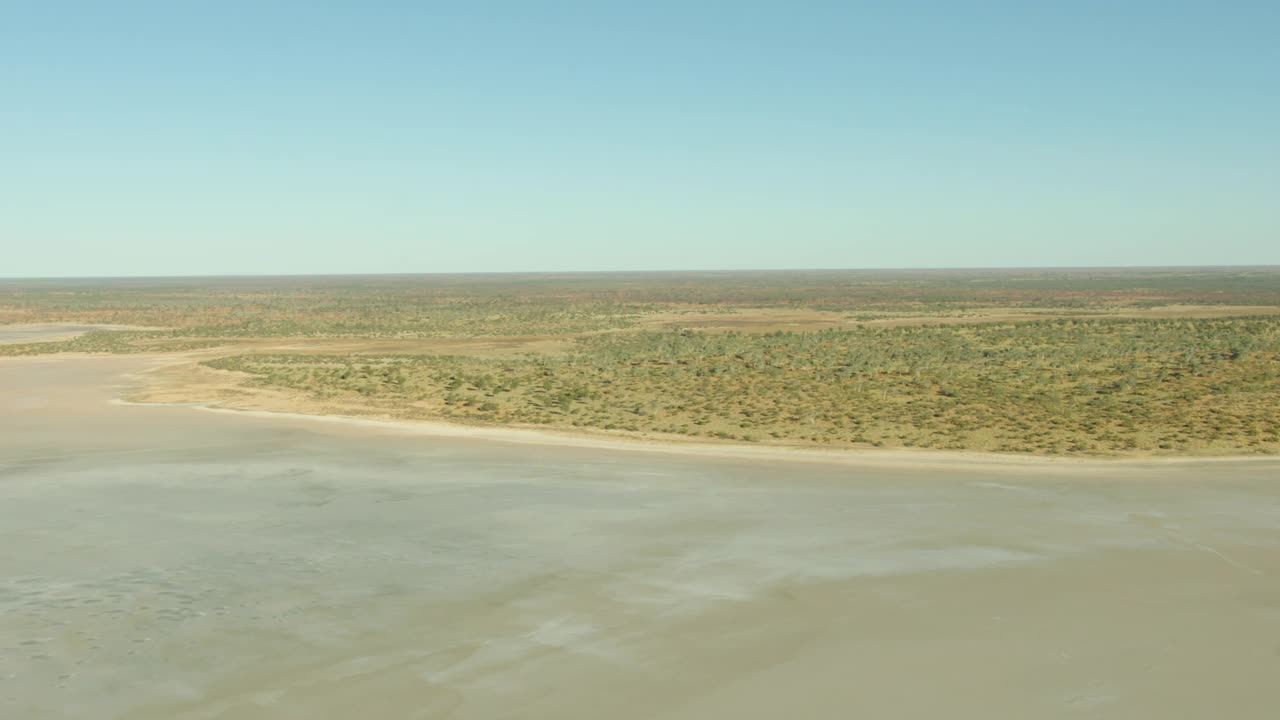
(280,136)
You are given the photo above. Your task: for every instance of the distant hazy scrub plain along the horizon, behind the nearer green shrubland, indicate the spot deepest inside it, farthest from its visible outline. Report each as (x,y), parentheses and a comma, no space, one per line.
(542,304)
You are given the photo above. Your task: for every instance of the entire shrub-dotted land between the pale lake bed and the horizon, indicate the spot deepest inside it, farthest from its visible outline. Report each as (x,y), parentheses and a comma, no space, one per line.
(1087,363)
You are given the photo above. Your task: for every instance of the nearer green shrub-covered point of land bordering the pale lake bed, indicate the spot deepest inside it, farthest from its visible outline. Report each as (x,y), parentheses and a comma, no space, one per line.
(1048,388)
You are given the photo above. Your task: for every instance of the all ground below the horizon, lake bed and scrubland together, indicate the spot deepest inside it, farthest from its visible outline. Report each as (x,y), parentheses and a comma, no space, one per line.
(962,495)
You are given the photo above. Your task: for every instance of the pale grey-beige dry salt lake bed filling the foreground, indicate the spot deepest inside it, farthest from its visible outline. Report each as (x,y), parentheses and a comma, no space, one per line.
(171,563)
